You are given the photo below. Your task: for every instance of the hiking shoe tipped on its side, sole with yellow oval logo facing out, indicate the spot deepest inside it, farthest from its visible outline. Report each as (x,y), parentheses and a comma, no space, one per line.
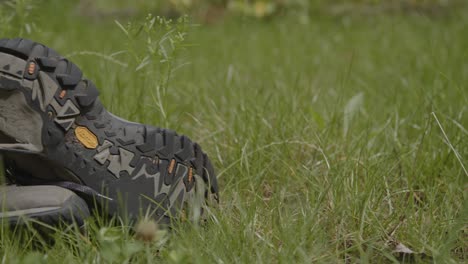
(54,129)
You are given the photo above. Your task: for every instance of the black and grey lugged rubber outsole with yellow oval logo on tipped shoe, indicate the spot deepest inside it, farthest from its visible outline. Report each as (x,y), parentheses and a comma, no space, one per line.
(104,152)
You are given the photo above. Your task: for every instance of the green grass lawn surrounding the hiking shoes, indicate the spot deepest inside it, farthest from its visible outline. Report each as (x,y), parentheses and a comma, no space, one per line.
(334,140)
